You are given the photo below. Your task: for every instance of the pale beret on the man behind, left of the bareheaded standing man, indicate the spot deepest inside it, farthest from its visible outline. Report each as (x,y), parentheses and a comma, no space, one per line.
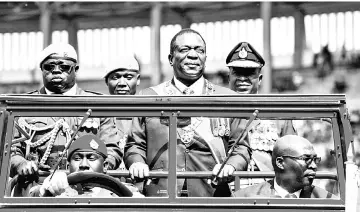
(128,62)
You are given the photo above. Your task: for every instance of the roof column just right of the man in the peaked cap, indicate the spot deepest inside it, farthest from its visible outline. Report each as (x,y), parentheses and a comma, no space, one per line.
(265,9)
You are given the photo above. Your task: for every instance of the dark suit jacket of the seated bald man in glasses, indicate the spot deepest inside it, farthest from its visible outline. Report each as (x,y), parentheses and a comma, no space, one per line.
(266,189)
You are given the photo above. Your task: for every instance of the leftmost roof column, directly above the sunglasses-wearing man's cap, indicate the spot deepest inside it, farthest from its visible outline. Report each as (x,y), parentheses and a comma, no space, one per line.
(45,22)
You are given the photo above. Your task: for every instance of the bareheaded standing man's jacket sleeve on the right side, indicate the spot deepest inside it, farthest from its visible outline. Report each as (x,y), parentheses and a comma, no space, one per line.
(240,157)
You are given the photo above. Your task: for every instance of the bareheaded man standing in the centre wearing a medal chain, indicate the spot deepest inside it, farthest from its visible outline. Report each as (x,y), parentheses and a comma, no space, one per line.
(201,141)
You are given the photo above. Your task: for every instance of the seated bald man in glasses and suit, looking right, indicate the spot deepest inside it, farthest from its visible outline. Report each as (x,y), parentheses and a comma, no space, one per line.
(295,163)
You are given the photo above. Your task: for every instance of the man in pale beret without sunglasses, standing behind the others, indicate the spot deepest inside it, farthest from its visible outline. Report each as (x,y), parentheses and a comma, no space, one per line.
(122,78)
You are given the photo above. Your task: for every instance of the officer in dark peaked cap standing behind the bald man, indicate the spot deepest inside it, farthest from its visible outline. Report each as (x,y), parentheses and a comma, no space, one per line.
(245,77)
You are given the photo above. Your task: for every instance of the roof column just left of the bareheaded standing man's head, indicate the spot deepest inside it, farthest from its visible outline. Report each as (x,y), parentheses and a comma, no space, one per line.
(155,61)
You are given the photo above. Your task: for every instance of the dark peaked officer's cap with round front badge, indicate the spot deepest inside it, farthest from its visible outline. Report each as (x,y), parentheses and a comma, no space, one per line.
(245,56)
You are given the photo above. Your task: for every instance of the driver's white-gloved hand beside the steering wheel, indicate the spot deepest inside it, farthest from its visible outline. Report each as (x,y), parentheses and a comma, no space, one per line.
(56,186)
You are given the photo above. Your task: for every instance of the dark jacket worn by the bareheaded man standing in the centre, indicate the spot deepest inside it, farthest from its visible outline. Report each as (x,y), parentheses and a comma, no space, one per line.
(148,144)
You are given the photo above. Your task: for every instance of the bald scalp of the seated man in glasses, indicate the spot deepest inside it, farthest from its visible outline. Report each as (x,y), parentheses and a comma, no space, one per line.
(291,145)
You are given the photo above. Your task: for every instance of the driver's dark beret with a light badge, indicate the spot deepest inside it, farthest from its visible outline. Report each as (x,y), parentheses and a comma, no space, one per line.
(88,142)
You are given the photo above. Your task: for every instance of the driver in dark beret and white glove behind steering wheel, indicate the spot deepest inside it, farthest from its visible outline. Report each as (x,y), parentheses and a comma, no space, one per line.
(87,154)
